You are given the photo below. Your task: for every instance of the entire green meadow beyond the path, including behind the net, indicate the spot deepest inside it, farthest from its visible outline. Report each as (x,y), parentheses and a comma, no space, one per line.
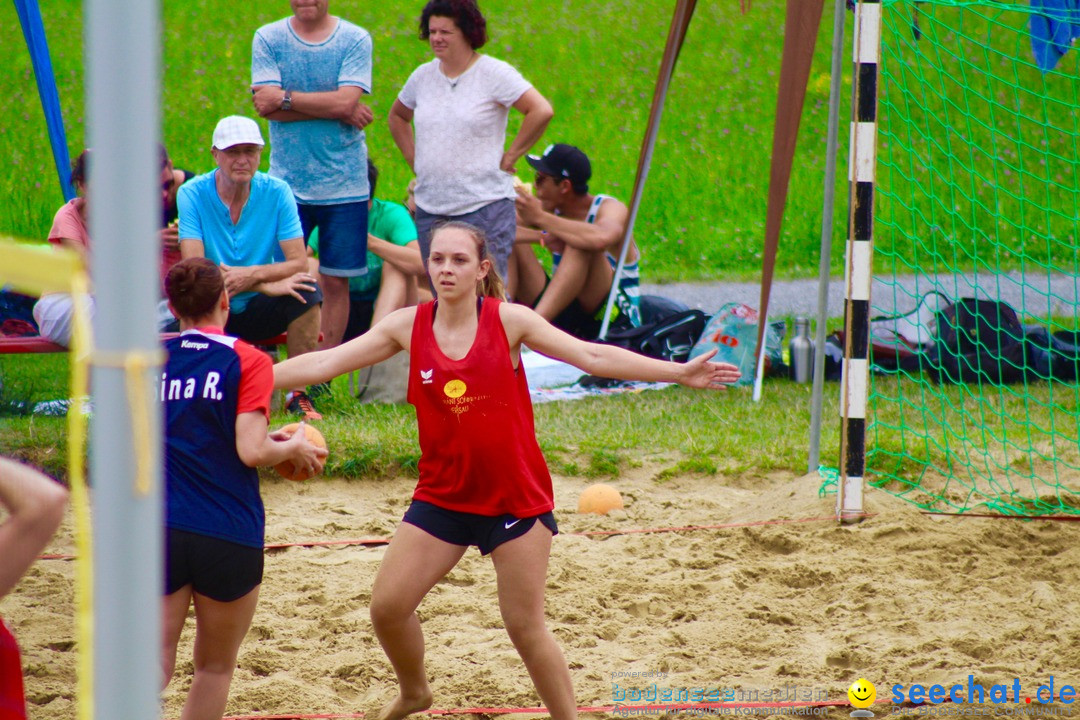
(977,145)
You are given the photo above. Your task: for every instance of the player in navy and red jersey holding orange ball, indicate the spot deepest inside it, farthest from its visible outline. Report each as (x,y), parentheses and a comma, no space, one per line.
(217,391)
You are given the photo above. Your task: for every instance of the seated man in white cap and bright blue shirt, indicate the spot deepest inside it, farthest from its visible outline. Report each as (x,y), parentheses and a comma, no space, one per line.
(247,223)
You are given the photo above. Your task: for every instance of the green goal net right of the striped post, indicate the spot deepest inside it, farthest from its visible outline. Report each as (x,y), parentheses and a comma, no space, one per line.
(979,156)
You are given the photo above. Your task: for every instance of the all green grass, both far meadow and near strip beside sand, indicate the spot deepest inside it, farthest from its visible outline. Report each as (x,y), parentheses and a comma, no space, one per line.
(978,170)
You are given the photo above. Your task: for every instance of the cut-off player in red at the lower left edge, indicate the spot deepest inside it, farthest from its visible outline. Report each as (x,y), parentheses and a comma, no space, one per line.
(36,508)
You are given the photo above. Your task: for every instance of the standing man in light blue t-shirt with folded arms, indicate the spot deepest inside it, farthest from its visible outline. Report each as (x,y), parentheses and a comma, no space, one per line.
(308,74)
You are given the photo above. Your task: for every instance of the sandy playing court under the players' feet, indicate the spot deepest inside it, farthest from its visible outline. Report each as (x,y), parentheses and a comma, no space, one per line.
(778,606)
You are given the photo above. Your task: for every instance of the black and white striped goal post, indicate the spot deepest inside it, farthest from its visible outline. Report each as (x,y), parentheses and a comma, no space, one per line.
(860,253)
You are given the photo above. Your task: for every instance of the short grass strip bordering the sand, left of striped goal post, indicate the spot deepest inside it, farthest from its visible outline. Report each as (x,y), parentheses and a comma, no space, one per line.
(677,430)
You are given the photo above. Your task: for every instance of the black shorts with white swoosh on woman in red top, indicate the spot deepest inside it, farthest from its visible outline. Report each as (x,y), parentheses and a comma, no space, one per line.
(484,532)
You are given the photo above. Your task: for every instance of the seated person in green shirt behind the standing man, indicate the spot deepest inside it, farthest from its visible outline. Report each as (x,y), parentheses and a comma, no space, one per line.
(394,264)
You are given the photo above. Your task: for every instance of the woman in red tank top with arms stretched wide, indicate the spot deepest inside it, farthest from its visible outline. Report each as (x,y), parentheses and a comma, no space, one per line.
(483,480)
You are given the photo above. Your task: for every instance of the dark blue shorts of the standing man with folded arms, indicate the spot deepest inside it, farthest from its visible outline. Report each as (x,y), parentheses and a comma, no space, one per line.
(343,237)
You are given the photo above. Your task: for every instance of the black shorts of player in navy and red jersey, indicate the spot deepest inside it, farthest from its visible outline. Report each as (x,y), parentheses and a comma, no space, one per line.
(219,569)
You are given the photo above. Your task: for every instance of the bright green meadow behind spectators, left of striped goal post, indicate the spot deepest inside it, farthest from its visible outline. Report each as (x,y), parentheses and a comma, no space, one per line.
(704,211)
